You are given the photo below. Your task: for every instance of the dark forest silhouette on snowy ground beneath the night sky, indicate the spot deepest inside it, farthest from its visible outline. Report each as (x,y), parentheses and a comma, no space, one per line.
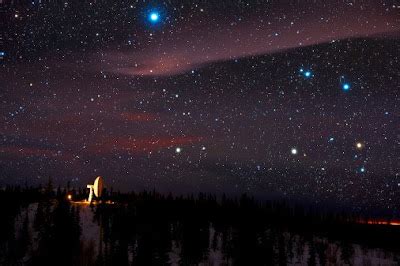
(143,228)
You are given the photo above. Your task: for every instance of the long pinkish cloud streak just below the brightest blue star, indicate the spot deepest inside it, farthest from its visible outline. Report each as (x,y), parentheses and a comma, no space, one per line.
(190,49)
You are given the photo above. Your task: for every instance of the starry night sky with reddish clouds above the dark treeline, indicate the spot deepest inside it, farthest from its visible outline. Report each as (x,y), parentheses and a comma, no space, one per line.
(287,99)
